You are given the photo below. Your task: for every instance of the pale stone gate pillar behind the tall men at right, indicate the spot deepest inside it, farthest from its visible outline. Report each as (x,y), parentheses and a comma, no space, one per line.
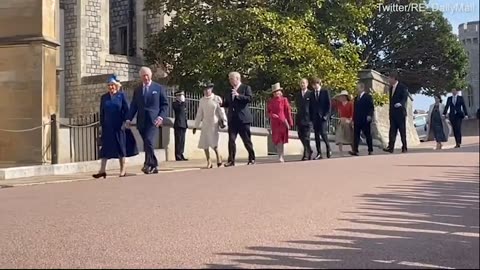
(374,81)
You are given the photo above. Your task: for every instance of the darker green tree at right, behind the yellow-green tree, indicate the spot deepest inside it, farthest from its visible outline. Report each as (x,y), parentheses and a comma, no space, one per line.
(420,45)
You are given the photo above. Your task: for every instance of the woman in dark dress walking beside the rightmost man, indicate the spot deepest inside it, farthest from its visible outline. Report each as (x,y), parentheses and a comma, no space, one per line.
(438,127)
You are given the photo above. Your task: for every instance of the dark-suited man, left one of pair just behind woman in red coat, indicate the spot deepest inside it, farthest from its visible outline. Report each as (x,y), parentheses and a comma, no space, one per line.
(302,118)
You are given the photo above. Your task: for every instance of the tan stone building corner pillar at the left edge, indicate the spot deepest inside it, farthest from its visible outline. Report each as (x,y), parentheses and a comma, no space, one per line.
(28,62)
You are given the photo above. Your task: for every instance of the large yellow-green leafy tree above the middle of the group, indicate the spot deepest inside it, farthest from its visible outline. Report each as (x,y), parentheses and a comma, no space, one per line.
(267,41)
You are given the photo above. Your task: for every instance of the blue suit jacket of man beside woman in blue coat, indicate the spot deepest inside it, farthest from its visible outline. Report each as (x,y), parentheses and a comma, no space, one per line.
(148,108)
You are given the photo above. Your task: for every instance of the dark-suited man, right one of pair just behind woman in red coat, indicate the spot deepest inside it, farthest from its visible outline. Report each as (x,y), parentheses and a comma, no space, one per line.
(320,105)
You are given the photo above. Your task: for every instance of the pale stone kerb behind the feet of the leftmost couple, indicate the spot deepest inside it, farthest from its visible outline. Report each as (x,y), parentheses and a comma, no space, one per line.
(72,168)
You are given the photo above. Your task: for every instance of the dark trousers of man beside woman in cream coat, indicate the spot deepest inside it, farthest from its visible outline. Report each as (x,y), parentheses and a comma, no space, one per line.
(243,130)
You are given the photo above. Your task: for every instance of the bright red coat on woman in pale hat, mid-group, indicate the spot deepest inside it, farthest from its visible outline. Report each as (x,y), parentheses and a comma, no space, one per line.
(281,107)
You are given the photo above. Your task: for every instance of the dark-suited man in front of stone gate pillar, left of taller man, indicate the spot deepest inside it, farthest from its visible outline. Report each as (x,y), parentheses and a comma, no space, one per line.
(362,118)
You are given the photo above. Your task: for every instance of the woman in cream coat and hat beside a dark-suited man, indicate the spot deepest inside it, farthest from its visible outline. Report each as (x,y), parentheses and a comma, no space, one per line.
(212,117)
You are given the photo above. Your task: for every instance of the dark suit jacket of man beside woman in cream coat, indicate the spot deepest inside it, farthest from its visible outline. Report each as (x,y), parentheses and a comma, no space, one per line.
(238,110)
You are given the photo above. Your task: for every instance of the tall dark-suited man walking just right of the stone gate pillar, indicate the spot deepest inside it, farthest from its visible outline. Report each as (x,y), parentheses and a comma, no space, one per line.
(398,113)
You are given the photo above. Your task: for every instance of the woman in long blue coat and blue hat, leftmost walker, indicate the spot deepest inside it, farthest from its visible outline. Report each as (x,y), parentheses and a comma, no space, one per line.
(116,141)
